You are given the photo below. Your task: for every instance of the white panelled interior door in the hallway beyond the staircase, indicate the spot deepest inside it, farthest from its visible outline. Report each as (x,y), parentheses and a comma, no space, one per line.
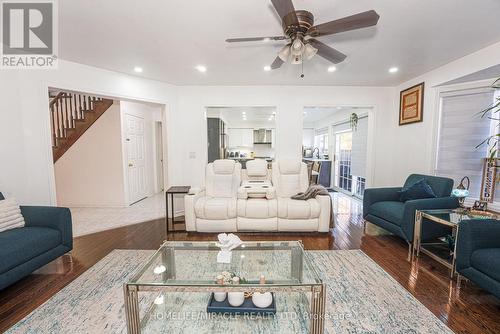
(136,160)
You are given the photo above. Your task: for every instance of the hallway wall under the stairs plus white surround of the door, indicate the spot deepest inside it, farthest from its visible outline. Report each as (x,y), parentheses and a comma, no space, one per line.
(93,172)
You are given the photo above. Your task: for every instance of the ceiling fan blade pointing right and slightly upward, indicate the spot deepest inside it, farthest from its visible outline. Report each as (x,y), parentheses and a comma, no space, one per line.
(356,21)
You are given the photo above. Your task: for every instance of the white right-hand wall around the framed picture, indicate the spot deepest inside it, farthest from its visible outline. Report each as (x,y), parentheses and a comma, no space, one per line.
(412,148)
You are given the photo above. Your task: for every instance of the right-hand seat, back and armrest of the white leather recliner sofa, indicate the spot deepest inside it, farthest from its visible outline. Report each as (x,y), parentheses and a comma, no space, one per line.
(290,177)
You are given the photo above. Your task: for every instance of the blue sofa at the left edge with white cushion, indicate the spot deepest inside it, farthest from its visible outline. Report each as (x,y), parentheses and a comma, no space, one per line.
(46,236)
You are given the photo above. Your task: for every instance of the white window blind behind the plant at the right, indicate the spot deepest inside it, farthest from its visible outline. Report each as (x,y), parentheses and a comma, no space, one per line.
(461,130)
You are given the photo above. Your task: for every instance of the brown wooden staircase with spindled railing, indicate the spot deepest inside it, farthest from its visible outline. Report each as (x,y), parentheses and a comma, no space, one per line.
(71,115)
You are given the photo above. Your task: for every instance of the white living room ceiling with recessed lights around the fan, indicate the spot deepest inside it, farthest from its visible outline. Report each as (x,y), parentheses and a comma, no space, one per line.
(169,38)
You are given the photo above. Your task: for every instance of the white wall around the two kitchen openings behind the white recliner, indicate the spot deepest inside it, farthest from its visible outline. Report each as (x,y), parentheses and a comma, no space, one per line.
(289,101)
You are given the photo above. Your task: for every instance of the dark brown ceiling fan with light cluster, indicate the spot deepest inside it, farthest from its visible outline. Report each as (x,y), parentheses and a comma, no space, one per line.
(298,27)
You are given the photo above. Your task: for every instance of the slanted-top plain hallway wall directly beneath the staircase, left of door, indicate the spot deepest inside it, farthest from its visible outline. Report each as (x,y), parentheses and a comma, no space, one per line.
(90,173)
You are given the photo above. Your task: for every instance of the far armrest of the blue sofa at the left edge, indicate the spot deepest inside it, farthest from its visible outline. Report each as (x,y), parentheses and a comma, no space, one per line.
(51,217)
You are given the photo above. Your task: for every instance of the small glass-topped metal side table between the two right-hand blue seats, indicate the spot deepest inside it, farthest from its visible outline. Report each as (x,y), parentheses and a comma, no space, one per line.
(440,250)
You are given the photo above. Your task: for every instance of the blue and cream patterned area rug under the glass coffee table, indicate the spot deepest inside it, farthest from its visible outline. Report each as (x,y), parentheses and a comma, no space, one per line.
(362,298)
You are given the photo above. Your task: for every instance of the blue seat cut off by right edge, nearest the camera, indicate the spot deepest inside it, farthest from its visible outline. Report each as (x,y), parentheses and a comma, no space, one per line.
(478,253)
